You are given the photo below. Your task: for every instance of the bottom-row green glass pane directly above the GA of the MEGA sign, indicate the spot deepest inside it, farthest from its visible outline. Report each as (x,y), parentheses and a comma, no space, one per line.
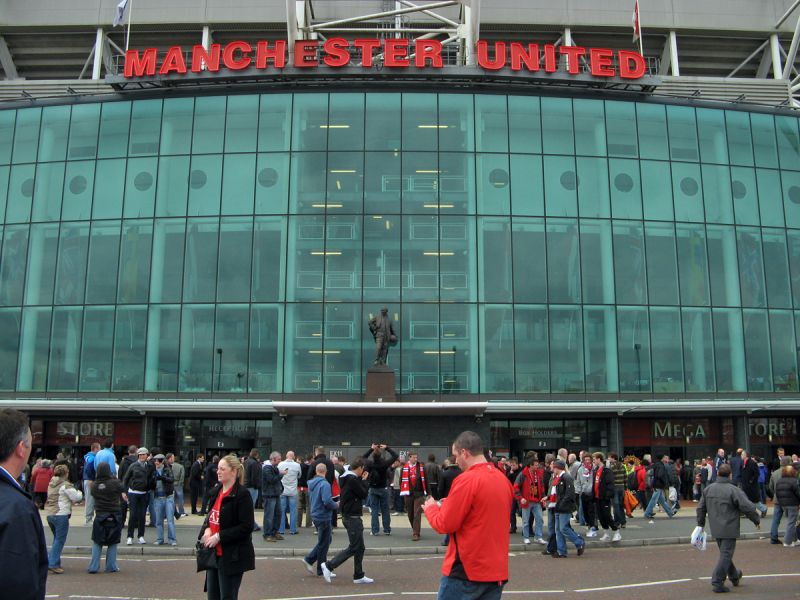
(698,349)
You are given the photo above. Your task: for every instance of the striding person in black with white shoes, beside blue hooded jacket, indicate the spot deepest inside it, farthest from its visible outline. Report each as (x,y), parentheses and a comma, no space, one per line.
(354,489)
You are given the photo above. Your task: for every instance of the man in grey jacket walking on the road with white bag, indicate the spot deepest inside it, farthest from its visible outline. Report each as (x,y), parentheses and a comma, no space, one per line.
(723,503)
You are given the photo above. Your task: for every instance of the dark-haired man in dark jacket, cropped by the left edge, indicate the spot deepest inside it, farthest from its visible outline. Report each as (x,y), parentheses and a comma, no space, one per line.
(23,553)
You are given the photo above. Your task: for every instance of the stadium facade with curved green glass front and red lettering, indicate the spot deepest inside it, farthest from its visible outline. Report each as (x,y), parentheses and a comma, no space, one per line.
(592,248)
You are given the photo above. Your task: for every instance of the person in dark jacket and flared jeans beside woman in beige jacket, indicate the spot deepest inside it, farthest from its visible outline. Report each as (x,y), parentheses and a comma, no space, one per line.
(107,528)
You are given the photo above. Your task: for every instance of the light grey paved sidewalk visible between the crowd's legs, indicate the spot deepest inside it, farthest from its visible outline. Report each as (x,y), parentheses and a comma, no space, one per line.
(637,533)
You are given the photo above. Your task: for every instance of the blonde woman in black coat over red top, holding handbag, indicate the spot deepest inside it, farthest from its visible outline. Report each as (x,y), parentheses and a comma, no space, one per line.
(229,528)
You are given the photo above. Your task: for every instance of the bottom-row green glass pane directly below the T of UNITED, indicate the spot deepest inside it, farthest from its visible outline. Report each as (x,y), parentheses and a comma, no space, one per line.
(566,342)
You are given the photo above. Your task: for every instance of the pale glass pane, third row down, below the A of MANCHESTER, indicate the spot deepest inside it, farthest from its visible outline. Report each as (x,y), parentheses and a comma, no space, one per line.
(166,276)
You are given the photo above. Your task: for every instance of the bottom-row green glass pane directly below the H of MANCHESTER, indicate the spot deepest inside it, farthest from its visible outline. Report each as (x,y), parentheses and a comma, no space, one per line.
(266,348)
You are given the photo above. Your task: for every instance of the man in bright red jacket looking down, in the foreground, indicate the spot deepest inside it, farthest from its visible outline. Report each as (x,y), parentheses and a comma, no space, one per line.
(475,514)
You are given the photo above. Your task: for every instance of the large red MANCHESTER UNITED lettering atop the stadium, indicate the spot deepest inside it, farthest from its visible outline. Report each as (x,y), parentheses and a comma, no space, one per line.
(395,53)
